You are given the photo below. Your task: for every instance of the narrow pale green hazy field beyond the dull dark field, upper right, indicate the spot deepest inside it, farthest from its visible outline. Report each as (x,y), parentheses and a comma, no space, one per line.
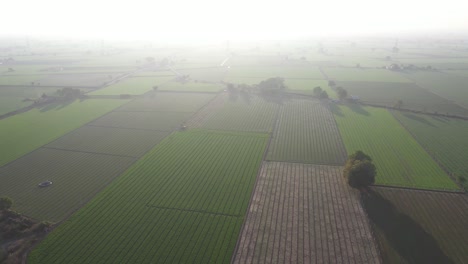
(364,75)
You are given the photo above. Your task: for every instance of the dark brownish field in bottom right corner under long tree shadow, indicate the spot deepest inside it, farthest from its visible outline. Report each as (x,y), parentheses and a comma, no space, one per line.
(419,226)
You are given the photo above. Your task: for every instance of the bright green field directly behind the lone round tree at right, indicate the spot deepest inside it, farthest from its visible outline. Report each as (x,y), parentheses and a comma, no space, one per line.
(399,159)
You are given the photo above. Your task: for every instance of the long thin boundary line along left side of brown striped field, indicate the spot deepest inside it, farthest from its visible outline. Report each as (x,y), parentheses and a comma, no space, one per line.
(252,194)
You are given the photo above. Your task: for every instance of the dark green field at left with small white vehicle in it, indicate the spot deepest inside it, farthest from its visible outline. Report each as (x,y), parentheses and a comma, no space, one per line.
(76,178)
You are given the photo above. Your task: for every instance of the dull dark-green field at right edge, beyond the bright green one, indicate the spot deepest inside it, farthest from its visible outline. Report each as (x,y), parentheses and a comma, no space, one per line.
(412,96)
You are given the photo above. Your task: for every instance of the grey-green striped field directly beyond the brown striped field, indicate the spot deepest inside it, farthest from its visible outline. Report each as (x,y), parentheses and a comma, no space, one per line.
(306,132)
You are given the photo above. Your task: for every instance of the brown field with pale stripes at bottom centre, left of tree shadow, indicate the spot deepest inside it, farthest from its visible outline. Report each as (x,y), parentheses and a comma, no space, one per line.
(303,213)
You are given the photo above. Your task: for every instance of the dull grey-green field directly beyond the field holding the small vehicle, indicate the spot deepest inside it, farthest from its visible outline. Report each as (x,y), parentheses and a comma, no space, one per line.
(105,140)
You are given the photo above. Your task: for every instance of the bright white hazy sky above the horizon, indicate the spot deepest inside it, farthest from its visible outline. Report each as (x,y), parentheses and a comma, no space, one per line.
(229,19)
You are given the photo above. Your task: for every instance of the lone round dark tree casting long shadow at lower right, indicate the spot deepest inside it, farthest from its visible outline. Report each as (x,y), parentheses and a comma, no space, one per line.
(359,170)
